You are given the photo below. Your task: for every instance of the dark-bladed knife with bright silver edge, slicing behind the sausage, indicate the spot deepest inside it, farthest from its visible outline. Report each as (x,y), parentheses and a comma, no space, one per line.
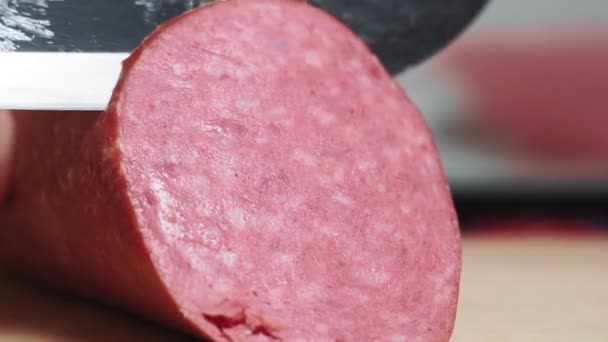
(67,54)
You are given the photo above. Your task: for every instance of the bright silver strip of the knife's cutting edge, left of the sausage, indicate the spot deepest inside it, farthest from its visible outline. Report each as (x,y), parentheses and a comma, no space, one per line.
(58,81)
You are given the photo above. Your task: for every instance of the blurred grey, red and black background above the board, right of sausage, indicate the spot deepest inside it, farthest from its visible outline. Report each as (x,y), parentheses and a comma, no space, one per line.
(517,107)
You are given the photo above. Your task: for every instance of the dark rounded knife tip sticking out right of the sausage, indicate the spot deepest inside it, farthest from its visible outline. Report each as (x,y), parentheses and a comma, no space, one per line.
(405,32)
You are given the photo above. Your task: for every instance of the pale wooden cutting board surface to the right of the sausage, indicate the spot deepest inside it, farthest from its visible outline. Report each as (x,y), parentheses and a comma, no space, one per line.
(535,290)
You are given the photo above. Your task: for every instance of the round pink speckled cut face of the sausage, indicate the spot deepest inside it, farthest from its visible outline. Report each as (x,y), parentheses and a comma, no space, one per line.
(269,153)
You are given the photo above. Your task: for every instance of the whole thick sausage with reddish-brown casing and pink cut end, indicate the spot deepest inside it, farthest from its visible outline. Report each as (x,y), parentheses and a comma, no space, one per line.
(257,176)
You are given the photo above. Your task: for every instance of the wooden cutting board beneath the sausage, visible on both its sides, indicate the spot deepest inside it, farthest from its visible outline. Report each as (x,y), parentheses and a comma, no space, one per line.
(512,290)
